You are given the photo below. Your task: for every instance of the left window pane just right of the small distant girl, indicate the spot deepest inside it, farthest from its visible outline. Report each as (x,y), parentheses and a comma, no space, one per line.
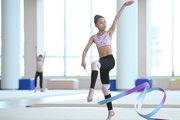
(54,37)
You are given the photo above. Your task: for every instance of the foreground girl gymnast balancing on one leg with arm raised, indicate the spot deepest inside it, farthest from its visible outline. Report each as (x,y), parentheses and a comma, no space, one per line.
(106,62)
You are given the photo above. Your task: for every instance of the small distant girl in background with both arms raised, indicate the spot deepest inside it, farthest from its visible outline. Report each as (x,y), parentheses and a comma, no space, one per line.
(39,70)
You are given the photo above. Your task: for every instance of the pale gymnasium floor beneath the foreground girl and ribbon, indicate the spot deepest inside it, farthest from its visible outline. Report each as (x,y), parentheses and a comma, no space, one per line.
(72,105)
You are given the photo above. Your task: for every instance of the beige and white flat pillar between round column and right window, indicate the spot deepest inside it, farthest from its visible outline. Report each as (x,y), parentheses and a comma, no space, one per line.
(144,38)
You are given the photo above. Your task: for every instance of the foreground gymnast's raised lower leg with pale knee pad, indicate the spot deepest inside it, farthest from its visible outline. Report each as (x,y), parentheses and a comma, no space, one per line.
(95,66)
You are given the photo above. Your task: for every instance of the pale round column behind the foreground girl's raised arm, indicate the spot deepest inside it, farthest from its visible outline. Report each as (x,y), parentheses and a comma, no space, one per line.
(126,47)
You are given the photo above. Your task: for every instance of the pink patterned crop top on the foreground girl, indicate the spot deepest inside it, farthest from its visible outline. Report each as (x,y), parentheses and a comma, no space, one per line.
(102,40)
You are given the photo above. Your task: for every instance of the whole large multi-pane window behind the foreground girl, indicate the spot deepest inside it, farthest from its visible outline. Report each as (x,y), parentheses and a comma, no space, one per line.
(68,27)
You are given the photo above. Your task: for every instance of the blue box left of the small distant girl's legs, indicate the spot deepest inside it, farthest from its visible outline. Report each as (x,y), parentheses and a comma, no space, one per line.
(26,84)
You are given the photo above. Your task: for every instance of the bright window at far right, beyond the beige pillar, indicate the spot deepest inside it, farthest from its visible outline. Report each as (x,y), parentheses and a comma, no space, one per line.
(165,24)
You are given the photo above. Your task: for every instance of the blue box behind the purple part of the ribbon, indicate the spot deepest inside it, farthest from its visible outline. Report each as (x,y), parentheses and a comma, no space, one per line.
(143,80)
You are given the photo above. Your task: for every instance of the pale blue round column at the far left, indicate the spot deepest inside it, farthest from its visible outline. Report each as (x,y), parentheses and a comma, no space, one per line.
(11,44)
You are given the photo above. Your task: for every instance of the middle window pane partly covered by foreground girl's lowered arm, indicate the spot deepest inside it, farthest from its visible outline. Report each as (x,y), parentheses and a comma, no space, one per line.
(77,34)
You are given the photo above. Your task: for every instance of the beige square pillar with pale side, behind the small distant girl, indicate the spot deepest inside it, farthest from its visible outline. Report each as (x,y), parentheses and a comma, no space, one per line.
(34,34)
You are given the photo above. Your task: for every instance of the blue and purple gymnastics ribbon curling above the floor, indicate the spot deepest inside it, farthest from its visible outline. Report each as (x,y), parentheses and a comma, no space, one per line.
(139,100)
